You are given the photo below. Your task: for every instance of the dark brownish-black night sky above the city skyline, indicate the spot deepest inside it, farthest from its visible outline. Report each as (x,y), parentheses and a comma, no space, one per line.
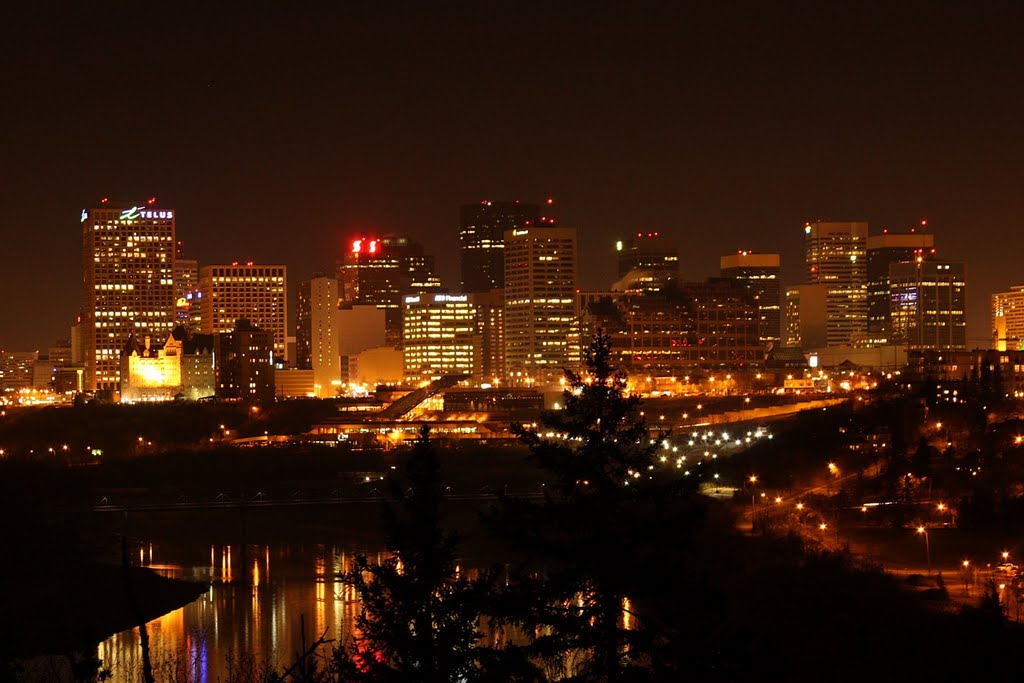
(277,134)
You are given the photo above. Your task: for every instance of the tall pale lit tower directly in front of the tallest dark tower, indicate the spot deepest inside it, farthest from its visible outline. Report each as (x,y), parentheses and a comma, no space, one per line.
(540,305)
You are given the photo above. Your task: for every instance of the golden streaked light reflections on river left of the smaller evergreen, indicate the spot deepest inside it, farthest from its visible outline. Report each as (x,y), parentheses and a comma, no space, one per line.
(252,615)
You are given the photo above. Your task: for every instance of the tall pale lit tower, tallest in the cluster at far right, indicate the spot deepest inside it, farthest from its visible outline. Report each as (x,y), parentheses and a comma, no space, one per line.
(835,254)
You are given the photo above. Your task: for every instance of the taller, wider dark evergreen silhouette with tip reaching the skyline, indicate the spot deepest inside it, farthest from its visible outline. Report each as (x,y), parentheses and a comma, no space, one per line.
(604,521)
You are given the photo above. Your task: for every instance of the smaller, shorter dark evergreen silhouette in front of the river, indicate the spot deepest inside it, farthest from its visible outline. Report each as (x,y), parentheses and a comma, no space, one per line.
(419,618)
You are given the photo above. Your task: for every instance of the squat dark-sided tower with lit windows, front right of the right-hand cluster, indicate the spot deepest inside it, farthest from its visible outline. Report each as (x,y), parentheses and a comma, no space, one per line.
(928,305)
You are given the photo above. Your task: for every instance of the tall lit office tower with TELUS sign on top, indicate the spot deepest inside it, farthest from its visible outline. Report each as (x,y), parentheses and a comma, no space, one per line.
(129,283)
